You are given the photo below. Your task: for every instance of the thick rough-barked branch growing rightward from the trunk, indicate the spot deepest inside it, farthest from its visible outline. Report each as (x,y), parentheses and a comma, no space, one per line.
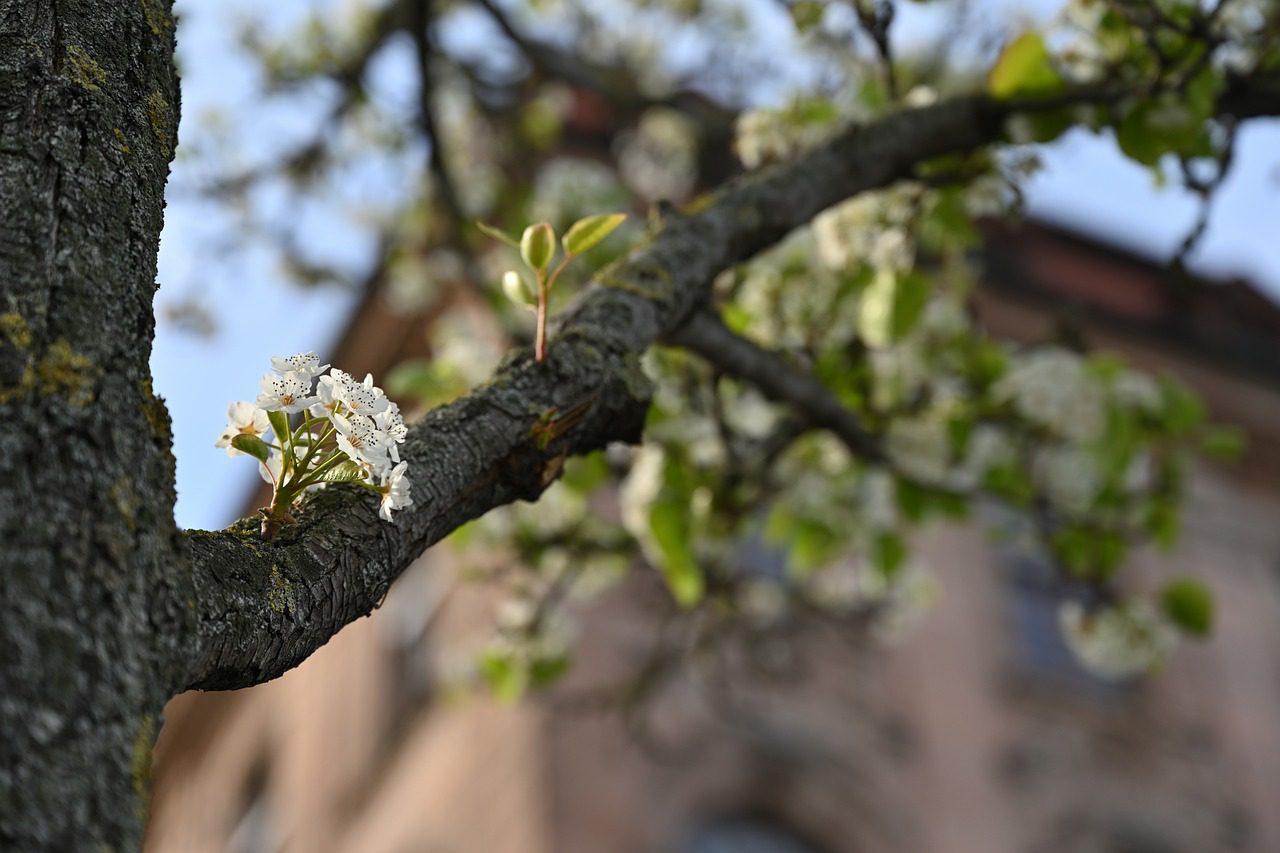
(264,608)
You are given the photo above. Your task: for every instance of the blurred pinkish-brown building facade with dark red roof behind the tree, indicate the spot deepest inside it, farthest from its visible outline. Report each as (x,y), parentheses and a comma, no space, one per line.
(976,735)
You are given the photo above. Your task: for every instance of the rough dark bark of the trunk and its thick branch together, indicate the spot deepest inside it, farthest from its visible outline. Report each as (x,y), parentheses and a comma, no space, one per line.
(107,609)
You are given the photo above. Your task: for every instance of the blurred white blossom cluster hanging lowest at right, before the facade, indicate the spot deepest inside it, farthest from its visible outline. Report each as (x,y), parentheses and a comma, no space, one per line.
(1118,642)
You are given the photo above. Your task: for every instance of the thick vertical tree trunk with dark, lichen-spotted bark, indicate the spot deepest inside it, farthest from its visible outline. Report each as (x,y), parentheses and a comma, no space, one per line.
(90,590)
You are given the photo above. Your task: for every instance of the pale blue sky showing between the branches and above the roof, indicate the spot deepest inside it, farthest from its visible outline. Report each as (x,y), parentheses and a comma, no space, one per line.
(1086,185)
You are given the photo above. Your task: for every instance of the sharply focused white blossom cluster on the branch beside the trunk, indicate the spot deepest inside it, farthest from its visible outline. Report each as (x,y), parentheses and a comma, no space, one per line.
(344,431)
